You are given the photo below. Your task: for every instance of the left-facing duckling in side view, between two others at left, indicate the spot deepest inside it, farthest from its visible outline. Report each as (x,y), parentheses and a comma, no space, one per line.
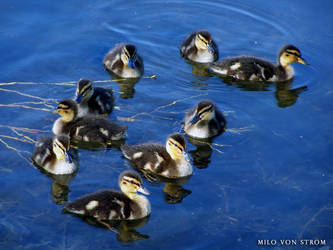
(92,129)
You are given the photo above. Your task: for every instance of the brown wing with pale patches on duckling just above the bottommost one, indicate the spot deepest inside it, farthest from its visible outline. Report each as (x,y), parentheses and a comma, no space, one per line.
(150,157)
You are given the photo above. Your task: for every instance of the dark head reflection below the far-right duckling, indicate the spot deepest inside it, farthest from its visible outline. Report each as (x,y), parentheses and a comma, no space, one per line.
(286,96)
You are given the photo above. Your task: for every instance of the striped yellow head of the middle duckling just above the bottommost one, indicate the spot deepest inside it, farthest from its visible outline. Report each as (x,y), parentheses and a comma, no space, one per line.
(176,146)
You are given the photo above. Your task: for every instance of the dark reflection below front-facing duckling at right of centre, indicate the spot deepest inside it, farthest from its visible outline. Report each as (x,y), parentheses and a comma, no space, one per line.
(202,153)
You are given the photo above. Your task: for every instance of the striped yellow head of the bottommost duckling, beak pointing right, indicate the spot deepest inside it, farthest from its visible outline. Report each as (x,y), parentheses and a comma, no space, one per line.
(130,183)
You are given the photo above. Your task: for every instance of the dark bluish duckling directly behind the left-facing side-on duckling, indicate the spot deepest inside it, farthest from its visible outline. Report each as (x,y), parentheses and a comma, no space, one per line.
(93,100)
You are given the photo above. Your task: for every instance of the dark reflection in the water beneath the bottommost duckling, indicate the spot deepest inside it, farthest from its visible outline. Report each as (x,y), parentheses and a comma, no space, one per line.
(125,229)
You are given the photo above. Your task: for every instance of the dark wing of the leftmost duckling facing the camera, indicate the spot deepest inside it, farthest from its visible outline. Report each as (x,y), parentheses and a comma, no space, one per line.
(43,151)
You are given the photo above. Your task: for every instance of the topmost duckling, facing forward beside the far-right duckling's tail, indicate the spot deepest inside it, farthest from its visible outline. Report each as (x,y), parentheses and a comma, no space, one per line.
(199,47)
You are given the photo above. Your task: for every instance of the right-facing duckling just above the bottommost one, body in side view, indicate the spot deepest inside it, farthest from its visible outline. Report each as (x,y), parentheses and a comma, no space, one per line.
(170,161)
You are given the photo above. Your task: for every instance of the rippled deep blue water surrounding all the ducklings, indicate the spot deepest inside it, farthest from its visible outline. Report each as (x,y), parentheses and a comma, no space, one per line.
(269,176)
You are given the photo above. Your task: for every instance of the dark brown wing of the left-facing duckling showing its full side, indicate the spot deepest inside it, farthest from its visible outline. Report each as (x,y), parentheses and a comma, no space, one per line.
(97,129)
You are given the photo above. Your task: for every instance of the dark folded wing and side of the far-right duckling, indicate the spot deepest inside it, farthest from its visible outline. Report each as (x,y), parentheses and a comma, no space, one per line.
(245,68)
